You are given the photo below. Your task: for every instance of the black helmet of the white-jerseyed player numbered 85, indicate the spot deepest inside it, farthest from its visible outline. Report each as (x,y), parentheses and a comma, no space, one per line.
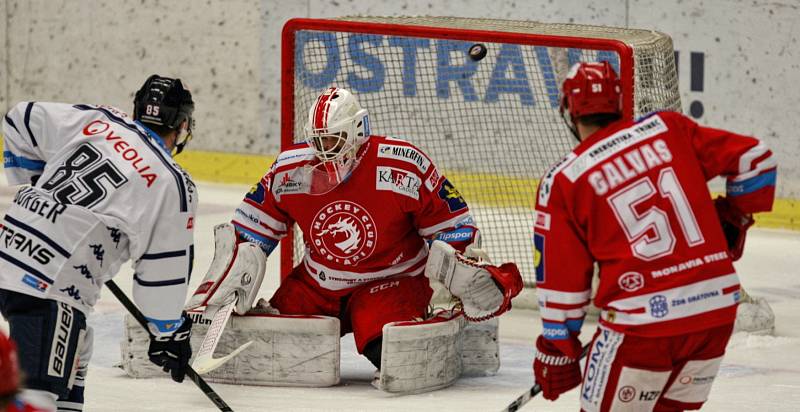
(164,102)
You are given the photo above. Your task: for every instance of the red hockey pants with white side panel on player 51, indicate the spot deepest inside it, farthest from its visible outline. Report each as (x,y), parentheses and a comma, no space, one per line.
(634,373)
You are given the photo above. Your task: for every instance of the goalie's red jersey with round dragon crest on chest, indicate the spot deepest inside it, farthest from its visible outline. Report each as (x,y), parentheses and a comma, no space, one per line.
(373,225)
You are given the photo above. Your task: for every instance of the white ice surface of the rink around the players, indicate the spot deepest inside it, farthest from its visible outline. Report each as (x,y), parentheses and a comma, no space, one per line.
(759,372)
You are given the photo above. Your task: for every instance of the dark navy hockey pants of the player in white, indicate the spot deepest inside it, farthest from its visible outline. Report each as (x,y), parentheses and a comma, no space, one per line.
(54,345)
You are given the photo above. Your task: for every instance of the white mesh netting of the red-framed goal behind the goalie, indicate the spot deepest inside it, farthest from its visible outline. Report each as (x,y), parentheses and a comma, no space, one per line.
(491,125)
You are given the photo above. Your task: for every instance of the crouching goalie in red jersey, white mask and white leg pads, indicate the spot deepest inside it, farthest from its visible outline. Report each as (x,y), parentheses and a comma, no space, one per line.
(378,221)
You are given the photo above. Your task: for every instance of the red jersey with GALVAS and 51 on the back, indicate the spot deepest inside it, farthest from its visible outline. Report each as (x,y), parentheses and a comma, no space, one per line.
(633,197)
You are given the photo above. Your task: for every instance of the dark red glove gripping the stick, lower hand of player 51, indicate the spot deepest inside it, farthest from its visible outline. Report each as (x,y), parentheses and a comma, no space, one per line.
(554,371)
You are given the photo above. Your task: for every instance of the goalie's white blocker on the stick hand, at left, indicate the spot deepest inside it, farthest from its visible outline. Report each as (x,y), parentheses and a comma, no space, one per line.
(237,269)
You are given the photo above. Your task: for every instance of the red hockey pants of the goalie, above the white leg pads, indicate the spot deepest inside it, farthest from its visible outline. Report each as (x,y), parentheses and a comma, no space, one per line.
(362,310)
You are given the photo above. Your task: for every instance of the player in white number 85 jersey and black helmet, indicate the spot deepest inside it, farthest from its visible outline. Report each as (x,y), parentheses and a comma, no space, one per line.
(104,189)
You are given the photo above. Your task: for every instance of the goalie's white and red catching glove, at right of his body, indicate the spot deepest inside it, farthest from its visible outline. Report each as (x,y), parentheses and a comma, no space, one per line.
(485,290)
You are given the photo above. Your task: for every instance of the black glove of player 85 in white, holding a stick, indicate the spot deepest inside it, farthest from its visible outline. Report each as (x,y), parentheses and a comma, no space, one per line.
(172,352)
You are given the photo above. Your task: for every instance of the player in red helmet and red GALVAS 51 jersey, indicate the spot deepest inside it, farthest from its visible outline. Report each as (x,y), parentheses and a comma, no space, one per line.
(632,197)
